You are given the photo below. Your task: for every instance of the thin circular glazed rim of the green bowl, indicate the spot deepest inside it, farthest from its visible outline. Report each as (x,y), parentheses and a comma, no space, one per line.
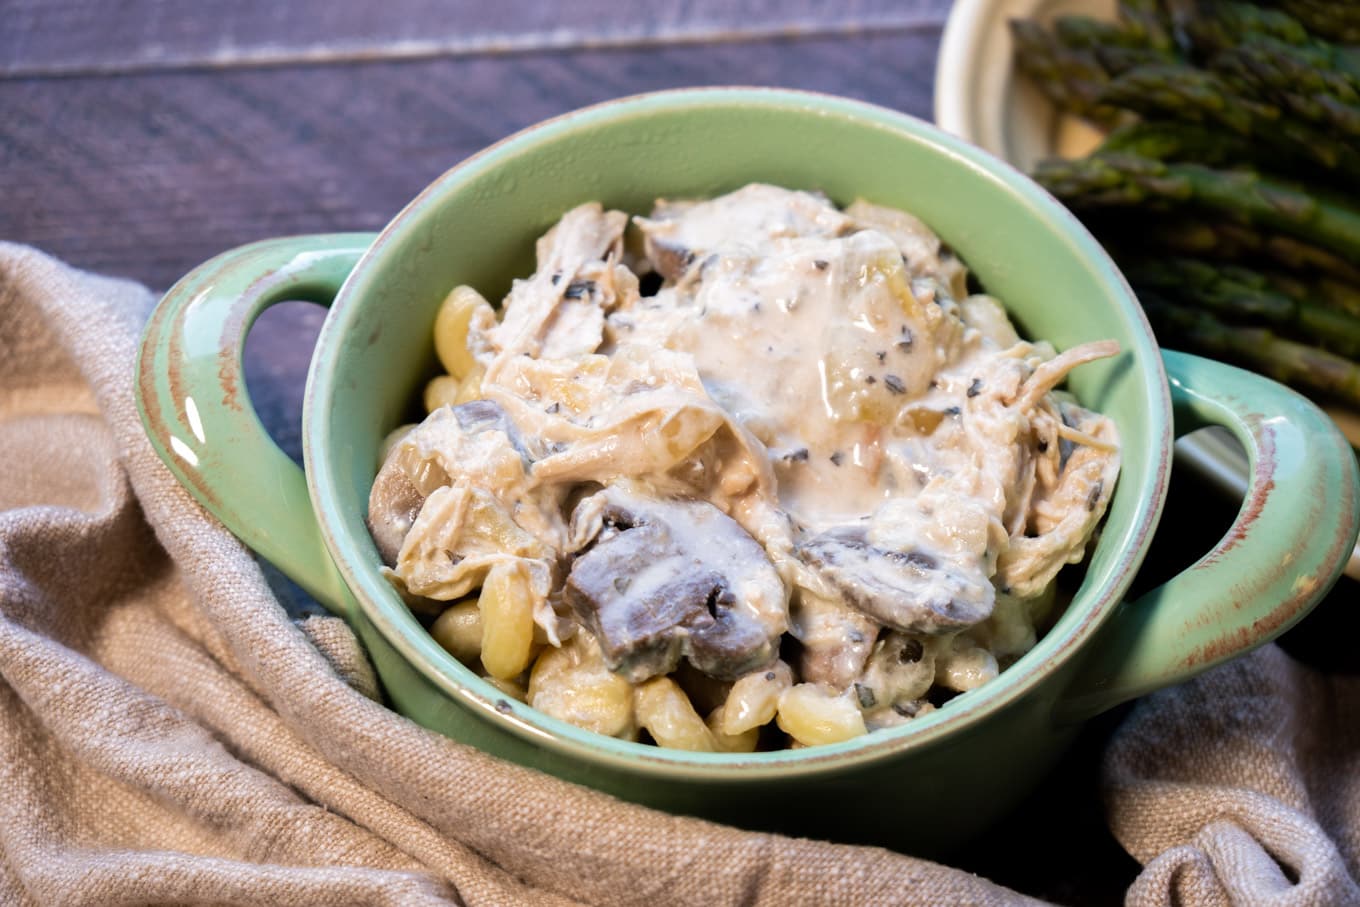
(413,643)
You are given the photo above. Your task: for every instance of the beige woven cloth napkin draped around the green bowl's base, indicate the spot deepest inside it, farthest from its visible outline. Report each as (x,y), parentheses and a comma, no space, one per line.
(169,735)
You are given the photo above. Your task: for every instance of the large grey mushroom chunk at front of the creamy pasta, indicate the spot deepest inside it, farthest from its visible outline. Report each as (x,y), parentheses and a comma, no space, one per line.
(671,580)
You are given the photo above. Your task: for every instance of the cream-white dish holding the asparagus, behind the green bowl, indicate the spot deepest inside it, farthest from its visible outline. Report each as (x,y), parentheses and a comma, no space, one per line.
(981,97)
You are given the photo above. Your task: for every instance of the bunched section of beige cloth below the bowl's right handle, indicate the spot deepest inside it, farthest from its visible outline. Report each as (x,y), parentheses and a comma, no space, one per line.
(1241,787)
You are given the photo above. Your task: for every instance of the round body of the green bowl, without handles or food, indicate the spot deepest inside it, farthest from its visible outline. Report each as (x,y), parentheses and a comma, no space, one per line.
(478,224)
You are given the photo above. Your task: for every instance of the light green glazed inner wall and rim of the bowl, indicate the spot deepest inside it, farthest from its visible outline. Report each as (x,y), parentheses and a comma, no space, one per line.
(478,225)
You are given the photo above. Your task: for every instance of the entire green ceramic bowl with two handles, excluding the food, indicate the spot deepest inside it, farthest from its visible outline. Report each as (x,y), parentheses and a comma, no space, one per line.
(921,788)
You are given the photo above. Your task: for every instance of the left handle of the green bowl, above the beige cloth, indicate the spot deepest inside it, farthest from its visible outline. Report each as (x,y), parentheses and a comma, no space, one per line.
(195,407)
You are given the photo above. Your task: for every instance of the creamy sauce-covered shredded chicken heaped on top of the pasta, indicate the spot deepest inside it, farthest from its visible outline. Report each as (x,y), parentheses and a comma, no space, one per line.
(818,375)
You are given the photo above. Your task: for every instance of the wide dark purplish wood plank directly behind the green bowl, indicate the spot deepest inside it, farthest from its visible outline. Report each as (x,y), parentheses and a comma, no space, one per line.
(149,175)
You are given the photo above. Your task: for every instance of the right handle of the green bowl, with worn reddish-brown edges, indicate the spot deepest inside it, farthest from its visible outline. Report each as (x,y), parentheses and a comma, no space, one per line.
(1287,546)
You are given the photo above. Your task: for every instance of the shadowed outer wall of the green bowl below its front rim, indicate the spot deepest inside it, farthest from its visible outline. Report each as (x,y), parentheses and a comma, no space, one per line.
(925,802)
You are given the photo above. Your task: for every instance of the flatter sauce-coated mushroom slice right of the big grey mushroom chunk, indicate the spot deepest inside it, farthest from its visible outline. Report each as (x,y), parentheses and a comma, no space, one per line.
(909,591)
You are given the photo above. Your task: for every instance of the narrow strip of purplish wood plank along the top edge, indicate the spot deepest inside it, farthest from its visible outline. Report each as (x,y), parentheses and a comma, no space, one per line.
(65,37)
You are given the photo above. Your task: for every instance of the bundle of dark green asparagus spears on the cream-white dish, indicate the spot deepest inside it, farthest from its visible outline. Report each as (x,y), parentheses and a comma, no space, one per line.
(1229,186)
